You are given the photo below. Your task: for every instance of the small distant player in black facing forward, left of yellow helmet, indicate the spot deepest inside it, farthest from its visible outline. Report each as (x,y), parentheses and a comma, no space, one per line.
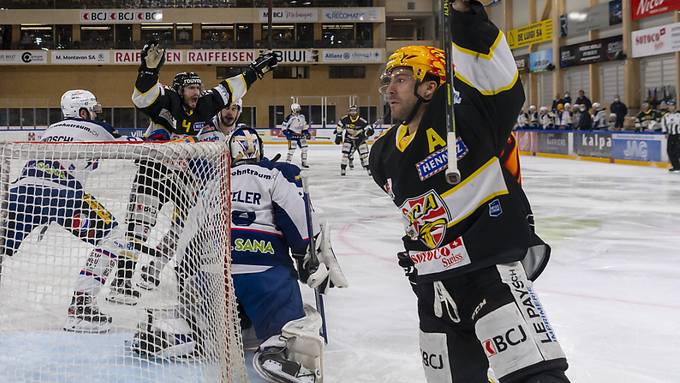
(356,130)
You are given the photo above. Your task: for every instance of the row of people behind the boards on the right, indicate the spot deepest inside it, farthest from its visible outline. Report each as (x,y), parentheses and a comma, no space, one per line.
(583,114)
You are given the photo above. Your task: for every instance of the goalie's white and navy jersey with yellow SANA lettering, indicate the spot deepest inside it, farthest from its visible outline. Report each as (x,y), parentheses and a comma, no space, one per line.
(268,218)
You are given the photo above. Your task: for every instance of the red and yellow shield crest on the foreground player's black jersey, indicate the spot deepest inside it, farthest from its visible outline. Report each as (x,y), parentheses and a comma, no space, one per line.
(426,218)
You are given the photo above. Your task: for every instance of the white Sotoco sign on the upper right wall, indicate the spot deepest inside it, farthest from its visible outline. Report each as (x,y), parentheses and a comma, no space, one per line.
(657,40)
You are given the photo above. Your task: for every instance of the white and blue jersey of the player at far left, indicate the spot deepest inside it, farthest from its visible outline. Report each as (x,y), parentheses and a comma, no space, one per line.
(67,173)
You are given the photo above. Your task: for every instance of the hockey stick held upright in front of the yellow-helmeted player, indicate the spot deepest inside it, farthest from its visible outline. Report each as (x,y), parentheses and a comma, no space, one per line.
(452,173)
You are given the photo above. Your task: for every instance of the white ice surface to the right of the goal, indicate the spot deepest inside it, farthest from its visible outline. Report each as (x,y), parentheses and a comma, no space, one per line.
(611,290)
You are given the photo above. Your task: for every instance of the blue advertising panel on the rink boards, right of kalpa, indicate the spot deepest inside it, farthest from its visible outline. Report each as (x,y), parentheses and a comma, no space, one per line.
(638,147)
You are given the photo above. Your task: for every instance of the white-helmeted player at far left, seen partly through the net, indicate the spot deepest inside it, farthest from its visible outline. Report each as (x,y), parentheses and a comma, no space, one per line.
(51,191)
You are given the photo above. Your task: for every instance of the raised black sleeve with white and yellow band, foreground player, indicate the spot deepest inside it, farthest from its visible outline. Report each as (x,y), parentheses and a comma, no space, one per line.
(483,61)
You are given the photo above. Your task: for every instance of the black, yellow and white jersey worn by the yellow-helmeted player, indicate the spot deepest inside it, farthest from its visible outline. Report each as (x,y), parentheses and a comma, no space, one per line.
(485,219)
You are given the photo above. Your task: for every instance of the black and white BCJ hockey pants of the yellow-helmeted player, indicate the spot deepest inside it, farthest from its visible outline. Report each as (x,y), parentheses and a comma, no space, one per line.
(489,317)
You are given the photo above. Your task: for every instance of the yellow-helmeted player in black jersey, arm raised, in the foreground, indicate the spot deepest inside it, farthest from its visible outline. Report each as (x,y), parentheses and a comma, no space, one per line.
(466,245)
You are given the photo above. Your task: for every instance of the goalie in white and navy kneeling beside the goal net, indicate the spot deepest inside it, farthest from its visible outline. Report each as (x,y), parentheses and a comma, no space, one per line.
(269,223)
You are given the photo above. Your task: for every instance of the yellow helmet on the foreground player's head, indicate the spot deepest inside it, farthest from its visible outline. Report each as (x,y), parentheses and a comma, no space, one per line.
(422,60)
